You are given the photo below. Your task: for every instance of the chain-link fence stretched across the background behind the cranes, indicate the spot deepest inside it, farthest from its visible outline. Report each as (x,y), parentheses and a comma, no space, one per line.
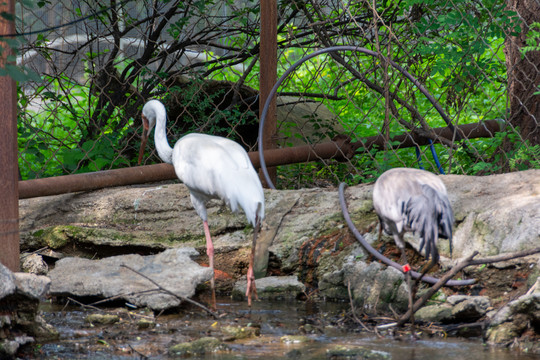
(201,58)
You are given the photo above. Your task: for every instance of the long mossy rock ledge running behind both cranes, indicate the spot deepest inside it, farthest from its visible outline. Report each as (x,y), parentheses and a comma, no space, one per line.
(303,231)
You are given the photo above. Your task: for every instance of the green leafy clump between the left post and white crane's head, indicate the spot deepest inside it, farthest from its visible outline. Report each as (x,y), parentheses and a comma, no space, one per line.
(50,140)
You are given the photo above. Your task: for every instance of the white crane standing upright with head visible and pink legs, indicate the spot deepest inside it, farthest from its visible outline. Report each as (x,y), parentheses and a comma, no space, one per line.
(211,167)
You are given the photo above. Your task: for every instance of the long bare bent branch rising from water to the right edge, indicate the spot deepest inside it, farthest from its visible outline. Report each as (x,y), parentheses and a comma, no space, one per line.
(468,261)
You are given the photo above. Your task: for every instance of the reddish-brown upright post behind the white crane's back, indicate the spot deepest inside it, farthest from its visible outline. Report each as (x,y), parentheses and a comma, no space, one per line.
(268,75)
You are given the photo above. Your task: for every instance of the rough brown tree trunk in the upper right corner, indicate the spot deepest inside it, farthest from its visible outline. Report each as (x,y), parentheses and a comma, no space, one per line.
(524,73)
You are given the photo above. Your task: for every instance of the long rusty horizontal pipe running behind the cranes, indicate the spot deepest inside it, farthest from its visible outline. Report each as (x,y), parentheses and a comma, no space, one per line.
(339,149)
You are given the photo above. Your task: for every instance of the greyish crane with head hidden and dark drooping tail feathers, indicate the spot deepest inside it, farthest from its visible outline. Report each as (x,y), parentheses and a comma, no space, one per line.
(413,200)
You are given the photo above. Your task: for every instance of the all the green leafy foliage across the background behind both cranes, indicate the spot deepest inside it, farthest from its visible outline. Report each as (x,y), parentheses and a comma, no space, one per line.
(454,49)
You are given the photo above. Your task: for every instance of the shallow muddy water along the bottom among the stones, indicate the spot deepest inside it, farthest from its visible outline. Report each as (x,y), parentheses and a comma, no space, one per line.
(320,323)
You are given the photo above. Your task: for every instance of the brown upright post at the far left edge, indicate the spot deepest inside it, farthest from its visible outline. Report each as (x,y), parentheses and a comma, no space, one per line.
(9,180)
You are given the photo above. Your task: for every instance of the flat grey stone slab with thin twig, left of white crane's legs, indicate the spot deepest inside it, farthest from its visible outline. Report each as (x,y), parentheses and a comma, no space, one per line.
(172,269)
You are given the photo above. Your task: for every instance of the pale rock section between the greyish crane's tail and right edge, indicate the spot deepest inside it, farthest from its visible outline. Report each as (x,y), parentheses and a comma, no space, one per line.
(495,214)
